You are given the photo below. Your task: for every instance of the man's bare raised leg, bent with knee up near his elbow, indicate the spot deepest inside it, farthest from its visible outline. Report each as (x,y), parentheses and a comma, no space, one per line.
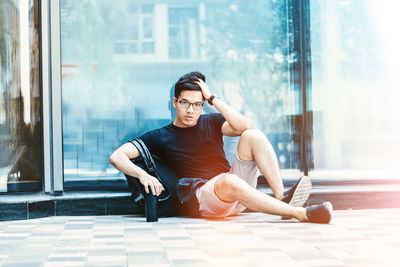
(254,145)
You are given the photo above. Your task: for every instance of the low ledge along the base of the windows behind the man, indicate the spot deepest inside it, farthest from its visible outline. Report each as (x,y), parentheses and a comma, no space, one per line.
(36,205)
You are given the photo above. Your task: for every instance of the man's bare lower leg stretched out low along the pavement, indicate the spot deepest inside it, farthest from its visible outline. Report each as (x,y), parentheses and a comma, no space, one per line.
(230,188)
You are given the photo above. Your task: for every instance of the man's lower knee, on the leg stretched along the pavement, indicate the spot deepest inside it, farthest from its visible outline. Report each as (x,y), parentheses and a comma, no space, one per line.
(227,187)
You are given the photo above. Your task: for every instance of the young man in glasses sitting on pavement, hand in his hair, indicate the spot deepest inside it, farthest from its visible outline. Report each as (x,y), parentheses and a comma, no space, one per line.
(192,146)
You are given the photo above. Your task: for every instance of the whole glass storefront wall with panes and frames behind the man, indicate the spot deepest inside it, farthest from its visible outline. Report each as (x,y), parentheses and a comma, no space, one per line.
(80,78)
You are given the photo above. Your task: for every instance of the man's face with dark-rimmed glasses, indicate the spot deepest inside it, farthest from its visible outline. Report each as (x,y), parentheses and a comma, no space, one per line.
(188,108)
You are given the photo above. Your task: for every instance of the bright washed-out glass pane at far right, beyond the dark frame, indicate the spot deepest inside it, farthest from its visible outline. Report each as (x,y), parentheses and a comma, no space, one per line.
(355,91)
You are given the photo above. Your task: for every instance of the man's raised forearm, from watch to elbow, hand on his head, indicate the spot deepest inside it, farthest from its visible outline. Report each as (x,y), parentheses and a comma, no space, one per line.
(238,121)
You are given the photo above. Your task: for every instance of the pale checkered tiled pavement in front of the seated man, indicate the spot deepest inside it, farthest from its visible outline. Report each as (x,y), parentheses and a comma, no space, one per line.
(354,238)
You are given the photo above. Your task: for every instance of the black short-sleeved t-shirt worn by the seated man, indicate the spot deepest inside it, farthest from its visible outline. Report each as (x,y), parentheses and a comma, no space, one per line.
(194,152)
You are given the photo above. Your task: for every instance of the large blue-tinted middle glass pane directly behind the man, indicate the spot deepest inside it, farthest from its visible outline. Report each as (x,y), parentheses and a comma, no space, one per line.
(108,99)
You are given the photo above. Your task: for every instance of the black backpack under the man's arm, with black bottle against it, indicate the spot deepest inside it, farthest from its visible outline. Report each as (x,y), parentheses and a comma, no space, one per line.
(167,203)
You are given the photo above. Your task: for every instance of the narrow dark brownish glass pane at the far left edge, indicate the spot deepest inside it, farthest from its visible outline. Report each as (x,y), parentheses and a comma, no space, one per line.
(20,118)
